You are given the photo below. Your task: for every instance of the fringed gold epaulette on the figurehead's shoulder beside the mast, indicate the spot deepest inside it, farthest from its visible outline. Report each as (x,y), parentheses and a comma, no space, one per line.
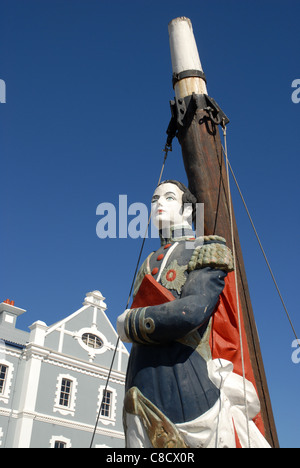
(211,251)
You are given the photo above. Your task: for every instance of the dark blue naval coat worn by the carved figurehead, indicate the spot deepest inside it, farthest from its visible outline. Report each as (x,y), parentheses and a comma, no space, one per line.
(169,372)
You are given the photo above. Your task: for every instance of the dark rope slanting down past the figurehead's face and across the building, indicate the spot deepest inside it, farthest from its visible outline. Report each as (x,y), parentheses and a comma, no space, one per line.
(167,148)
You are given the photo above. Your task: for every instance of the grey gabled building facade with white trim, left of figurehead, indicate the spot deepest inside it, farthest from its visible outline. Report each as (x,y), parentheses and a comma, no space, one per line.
(52,380)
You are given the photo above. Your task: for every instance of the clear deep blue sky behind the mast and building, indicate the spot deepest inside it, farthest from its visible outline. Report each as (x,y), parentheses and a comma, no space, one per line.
(88,85)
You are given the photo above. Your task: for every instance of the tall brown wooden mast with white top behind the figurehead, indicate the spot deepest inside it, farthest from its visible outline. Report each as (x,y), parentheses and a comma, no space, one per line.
(195,120)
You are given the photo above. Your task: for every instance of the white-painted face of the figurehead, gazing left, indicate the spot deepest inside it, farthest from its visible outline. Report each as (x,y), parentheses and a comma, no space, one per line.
(166,207)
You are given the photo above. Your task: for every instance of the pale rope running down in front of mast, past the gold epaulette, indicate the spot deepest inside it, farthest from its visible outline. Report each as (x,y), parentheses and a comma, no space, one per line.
(236,284)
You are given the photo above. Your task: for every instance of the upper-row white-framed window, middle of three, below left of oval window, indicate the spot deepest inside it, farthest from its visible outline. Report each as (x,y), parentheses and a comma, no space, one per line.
(65,396)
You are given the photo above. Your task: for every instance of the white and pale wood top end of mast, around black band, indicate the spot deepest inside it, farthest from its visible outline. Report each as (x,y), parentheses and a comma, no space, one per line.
(184,55)
